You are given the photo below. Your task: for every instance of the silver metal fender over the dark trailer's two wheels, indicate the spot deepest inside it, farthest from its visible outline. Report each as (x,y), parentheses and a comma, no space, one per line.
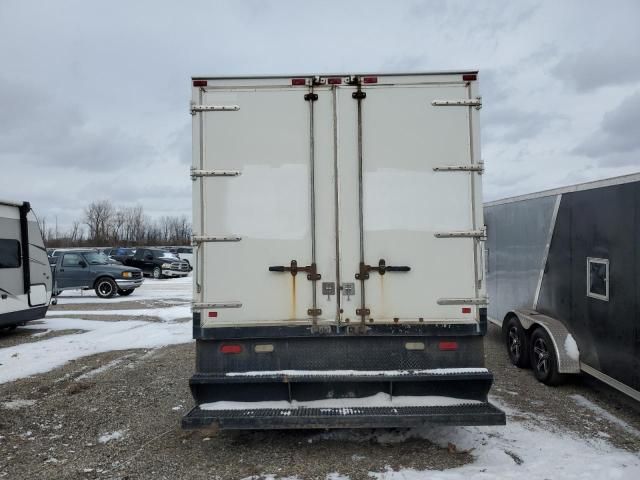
(567,352)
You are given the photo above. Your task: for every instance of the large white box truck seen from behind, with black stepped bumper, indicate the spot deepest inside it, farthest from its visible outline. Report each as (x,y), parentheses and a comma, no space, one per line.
(339,273)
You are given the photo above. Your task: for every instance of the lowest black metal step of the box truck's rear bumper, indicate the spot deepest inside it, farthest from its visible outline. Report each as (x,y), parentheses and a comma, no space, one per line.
(348,417)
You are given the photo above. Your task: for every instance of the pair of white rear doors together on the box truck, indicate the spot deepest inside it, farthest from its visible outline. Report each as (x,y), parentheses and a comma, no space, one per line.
(335,200)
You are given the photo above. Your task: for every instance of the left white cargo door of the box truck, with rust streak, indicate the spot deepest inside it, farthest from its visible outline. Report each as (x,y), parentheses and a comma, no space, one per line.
(256,212)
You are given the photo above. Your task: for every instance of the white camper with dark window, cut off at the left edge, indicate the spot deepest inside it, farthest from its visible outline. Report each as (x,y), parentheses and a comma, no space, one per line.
(25,275)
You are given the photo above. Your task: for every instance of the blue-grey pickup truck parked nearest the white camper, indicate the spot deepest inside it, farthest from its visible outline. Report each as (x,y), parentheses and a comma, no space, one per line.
(88,269)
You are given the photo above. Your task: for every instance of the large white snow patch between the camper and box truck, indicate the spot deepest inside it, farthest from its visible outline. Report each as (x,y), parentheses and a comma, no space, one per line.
(28,359)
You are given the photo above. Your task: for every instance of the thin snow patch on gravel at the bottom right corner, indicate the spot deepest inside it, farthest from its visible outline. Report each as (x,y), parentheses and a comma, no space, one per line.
(519,450)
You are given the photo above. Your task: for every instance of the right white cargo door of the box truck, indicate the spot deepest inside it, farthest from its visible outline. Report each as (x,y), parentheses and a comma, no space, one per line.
(393,204)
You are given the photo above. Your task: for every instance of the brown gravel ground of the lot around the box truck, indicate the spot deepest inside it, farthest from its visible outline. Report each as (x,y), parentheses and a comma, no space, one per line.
(117,415)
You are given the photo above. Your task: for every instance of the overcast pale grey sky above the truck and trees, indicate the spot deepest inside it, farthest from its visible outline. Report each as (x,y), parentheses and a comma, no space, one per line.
(94,95)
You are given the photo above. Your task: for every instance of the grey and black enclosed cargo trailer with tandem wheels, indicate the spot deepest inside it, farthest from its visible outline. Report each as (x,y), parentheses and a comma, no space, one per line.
(564,280)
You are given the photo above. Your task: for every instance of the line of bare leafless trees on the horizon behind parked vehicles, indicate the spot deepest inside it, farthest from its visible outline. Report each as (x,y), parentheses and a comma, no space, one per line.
(104,224)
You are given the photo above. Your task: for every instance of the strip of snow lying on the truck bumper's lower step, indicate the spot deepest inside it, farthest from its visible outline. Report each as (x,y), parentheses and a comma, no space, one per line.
(344,406)
